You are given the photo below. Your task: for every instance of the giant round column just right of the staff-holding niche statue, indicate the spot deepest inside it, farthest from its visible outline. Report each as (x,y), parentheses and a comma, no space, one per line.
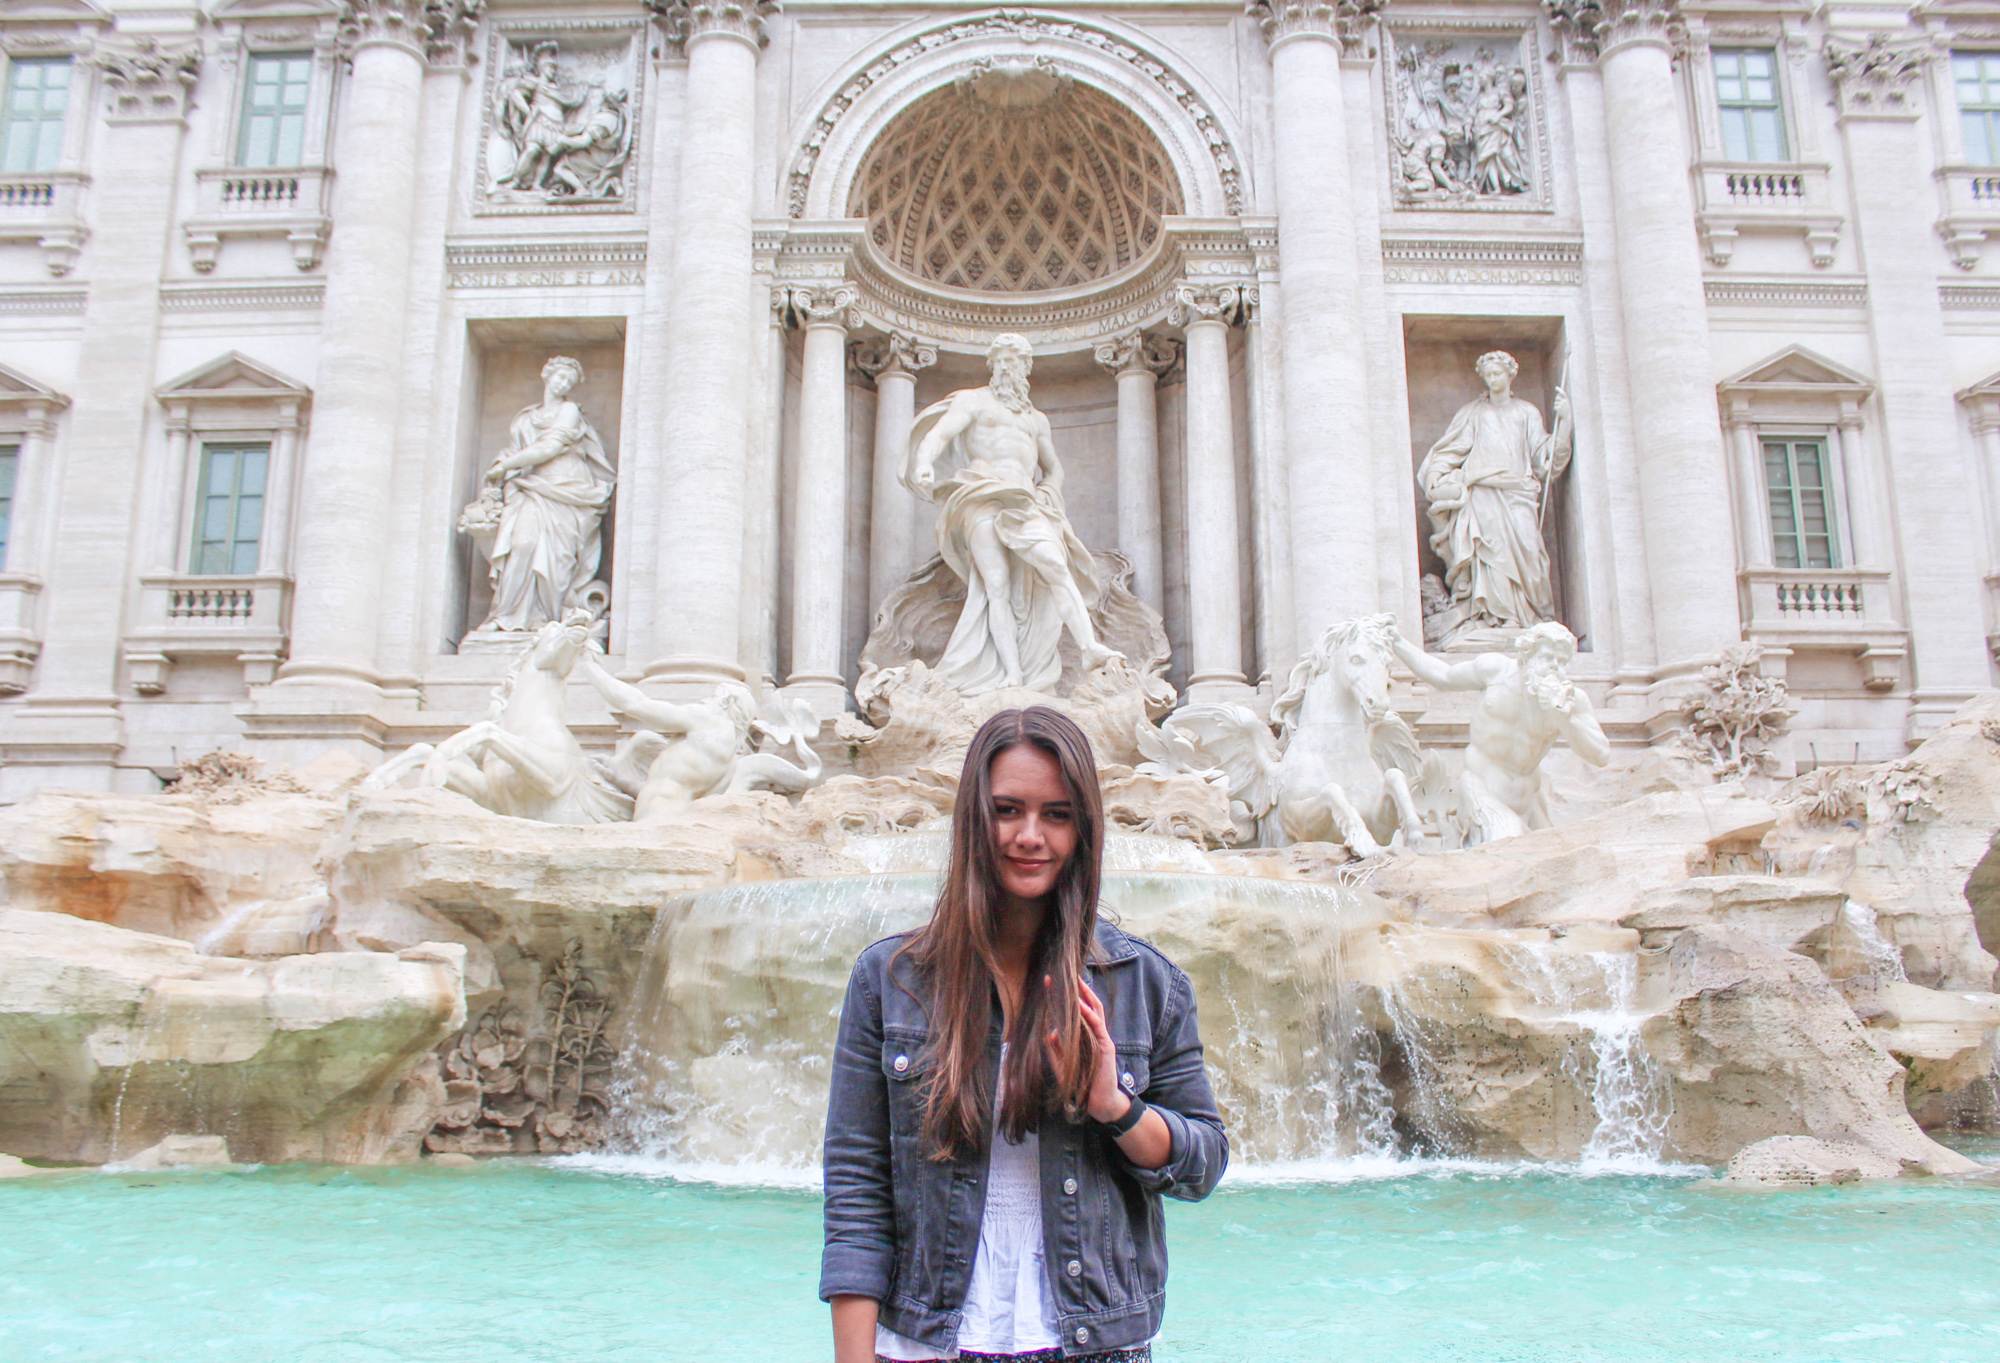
(1683,475)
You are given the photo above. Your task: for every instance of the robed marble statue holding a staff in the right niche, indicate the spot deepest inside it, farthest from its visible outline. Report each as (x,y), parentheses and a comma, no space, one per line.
(1487,483)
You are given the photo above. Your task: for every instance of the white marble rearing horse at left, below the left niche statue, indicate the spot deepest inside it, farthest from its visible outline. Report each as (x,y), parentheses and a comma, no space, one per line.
(523,760)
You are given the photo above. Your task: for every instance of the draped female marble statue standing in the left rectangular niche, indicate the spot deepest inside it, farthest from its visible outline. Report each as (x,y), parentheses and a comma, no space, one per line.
(545,509)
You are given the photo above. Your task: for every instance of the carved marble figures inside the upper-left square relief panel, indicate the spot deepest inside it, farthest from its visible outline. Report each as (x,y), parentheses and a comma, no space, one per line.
(571,139)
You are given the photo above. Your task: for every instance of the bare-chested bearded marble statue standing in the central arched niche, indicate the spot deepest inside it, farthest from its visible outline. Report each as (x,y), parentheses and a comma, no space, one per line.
(1005,533)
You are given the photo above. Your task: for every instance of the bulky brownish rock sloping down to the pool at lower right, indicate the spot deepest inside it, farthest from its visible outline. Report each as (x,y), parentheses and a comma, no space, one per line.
(1757,1042)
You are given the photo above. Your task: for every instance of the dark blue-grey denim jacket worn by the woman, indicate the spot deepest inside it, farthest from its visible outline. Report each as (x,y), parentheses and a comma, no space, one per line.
(903,1228)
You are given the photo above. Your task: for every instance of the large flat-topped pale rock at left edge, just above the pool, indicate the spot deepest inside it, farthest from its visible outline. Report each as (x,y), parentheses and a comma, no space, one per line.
(113,1040)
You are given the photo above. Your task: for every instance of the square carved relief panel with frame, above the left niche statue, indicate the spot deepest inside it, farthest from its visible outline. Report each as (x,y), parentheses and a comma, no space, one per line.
(561,121)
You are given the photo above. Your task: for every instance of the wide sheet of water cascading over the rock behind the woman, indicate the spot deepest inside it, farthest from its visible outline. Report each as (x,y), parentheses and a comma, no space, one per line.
(723,1068)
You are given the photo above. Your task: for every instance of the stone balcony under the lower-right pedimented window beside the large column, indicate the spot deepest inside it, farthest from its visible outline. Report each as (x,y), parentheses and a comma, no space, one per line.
(1843,611)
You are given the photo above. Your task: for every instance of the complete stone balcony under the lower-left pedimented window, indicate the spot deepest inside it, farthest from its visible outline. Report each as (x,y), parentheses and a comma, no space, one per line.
(201,617)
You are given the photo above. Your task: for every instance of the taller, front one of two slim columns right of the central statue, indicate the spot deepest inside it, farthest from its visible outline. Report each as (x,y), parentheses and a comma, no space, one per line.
(1215,547)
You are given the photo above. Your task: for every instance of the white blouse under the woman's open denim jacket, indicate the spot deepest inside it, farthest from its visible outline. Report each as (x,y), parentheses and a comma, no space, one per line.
(1009,1306)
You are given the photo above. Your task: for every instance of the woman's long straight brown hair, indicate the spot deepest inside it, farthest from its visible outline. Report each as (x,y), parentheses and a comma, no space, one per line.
(957,958)
